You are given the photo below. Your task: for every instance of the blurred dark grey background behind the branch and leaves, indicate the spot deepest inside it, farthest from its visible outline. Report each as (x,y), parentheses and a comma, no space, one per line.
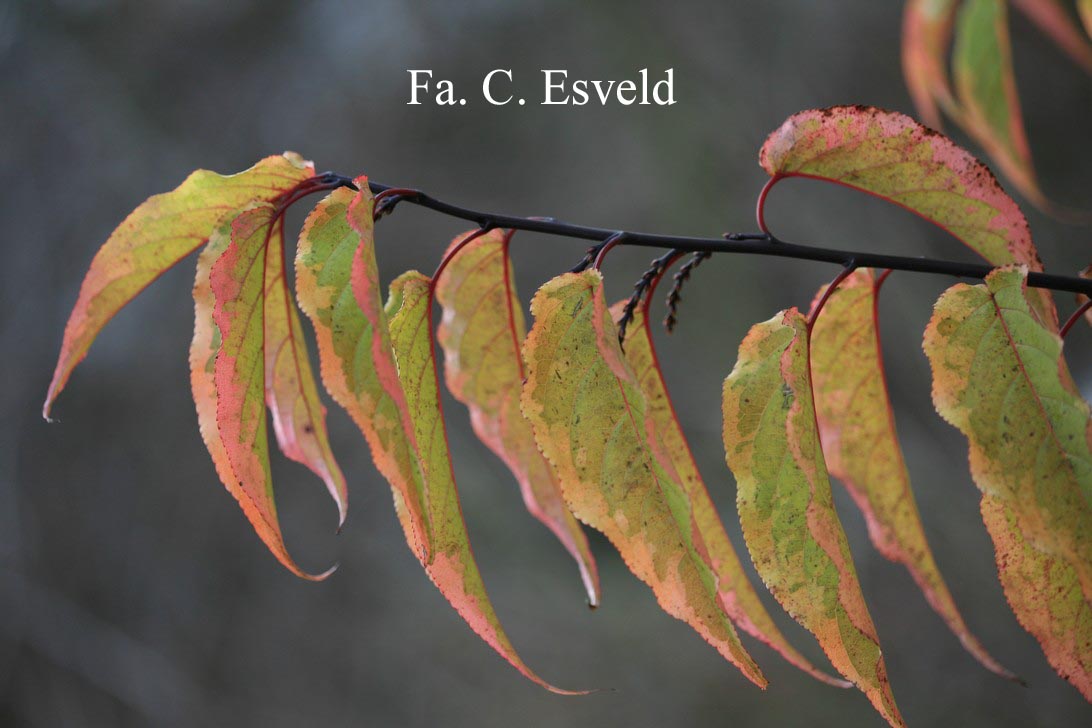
(133,591)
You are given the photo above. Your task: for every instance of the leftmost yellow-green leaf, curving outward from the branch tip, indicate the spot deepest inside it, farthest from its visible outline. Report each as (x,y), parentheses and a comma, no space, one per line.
(160,233)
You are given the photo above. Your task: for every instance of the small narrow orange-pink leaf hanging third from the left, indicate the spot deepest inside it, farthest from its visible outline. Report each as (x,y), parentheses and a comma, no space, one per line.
(300,417)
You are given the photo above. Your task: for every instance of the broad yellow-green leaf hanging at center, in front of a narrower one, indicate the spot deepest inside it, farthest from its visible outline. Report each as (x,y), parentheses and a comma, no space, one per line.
(591,421)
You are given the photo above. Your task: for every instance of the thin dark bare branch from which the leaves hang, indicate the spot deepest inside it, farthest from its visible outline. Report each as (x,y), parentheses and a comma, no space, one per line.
(755,244)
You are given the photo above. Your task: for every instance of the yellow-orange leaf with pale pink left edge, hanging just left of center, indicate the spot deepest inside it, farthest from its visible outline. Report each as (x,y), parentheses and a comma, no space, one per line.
(481,333)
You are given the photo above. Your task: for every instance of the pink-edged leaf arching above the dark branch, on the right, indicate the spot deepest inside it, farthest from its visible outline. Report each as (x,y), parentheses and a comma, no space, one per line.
(896,159)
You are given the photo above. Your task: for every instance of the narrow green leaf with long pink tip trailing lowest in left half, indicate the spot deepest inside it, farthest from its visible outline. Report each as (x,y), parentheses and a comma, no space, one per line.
(452,566)
